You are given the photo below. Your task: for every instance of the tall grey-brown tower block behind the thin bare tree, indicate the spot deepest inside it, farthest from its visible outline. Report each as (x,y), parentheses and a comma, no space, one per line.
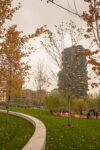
(74,71)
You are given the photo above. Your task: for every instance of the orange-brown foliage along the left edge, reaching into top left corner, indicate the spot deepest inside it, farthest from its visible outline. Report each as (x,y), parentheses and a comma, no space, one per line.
(6,13)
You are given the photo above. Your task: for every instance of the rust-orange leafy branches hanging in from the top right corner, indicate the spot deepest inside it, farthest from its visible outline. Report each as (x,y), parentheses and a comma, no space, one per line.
(91,16)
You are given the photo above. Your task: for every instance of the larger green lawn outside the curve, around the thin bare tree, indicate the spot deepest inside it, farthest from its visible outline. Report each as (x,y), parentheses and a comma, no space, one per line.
(85,134)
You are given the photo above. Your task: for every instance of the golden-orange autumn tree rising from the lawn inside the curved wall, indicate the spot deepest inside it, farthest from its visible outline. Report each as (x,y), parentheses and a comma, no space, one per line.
(14,72)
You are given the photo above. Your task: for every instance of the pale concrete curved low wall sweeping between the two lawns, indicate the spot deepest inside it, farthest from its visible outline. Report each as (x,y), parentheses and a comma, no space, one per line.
(38,140)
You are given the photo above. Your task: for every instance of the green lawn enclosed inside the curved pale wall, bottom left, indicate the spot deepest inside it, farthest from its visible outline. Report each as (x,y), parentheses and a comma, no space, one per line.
(16,134)
